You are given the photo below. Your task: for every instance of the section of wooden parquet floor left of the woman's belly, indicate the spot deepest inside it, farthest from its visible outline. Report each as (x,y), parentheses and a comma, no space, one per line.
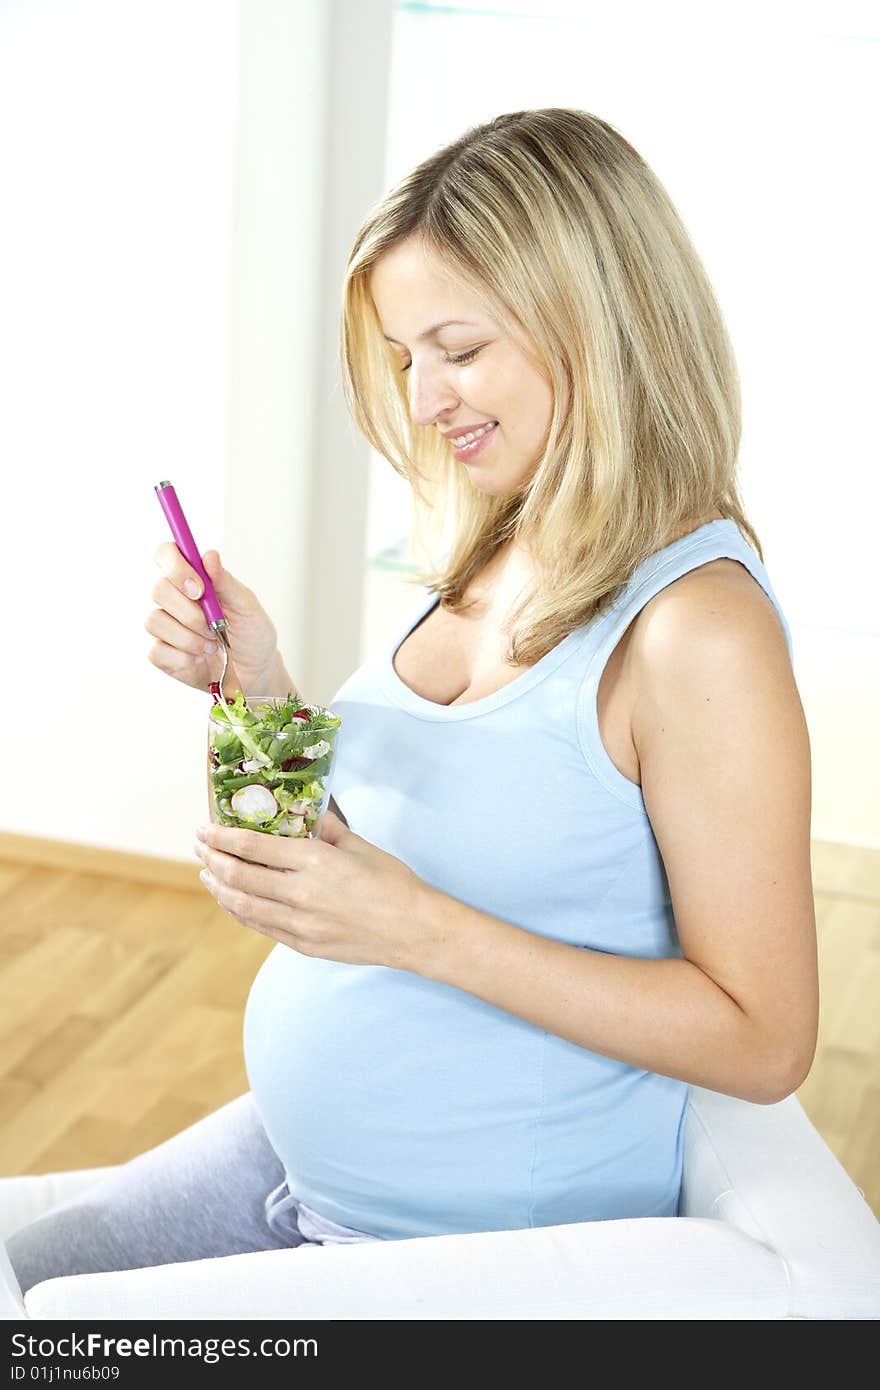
(120,1015)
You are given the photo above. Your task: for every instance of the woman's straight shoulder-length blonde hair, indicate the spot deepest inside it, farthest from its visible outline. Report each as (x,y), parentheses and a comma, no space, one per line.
(567,237)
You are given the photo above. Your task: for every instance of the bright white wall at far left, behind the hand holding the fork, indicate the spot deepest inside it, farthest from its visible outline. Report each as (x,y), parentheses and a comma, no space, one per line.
(117,137)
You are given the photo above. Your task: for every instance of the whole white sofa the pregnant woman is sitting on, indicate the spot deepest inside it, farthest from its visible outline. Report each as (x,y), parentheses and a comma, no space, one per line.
(771,1228)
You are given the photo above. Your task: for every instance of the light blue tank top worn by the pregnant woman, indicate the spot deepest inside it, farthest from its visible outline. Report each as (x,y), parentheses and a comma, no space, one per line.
(405,1107)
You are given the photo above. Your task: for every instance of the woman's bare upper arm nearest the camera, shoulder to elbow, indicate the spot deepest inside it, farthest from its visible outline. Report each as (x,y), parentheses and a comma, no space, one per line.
(728,785)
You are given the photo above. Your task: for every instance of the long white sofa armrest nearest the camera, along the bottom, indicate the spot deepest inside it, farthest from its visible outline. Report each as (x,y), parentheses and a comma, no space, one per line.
(647,1268)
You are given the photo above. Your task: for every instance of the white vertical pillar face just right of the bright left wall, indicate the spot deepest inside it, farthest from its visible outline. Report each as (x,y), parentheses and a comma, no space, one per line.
(275,290)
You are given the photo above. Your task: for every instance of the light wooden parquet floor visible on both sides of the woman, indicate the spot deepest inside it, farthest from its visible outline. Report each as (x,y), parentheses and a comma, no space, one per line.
(122,1010)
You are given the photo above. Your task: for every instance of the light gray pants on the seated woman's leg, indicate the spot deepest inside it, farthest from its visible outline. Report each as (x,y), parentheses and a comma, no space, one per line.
(215,1189)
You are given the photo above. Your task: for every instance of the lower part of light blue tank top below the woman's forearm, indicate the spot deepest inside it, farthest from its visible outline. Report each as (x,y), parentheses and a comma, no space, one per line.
(402,1107)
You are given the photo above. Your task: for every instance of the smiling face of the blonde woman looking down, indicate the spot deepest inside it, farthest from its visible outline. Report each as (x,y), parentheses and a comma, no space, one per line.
(466,375)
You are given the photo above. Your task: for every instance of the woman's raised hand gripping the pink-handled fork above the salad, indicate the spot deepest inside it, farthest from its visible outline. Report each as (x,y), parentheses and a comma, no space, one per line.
(181,629)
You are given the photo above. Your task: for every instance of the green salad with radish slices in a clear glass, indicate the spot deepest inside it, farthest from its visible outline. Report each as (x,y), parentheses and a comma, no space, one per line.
(270,764)
